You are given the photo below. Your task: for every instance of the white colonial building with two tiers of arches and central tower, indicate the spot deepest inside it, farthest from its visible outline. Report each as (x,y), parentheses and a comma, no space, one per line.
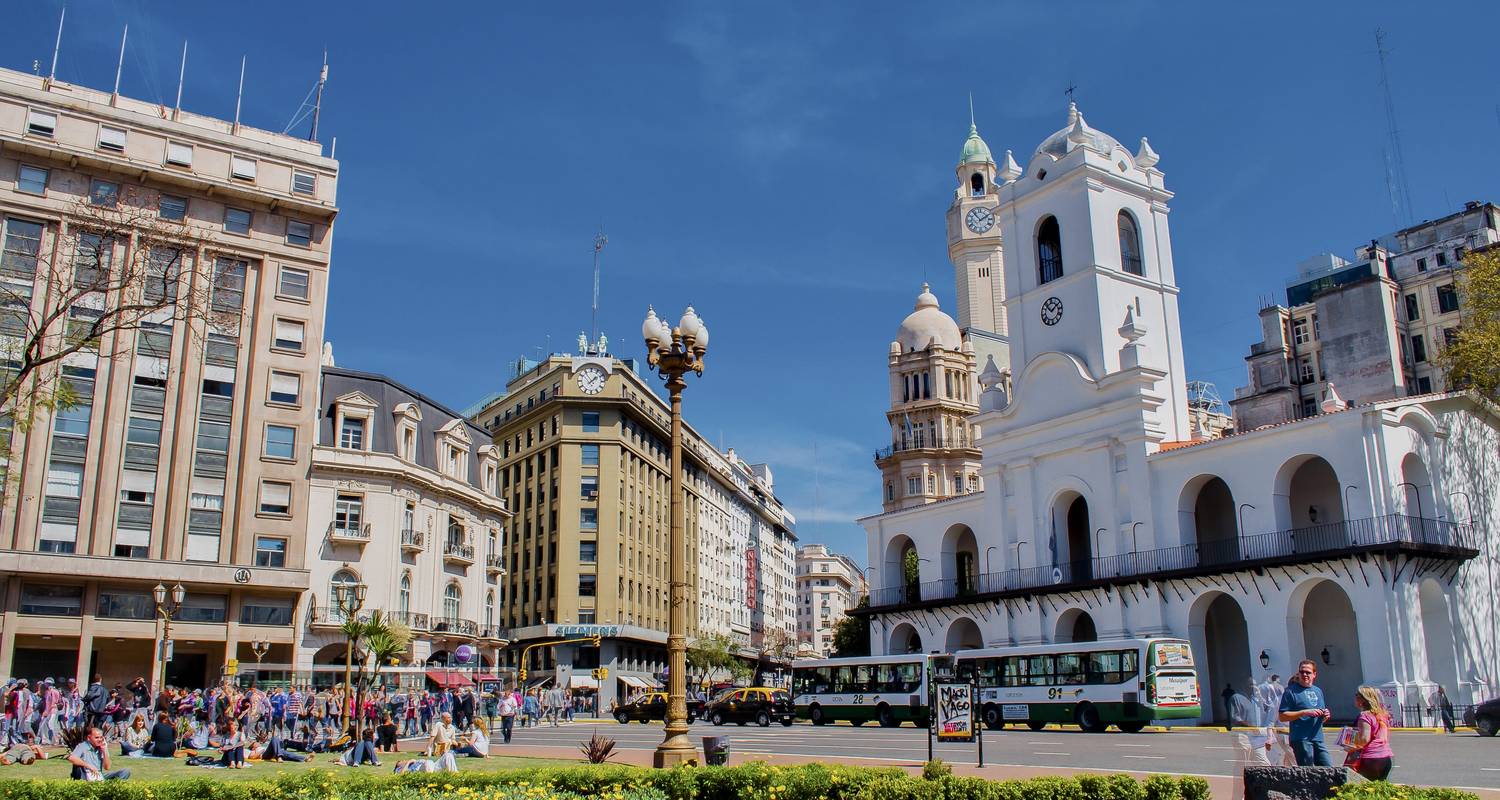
(1361,538)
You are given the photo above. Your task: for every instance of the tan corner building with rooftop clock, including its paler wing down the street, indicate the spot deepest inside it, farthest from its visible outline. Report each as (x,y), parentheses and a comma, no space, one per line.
(586,466)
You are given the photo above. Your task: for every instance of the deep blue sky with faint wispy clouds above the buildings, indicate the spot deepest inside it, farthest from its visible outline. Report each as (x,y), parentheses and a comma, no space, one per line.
(785,167)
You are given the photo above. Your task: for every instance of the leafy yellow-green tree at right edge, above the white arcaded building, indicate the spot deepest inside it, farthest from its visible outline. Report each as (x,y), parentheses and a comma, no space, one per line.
(1472,356)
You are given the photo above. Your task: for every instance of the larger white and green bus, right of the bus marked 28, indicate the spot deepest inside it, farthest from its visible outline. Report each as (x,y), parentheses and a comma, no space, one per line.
(1129,684)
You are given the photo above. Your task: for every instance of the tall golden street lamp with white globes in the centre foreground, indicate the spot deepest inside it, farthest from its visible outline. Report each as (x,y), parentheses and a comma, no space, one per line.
(674,353)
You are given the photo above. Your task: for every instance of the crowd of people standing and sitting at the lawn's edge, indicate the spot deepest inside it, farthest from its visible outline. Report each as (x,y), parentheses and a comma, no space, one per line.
(230,727)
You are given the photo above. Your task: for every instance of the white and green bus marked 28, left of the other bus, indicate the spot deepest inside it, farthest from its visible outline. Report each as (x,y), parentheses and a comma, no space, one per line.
(886,690)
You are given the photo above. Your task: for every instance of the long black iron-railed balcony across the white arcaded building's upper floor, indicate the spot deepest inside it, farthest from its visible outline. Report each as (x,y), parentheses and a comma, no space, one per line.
(1379,535)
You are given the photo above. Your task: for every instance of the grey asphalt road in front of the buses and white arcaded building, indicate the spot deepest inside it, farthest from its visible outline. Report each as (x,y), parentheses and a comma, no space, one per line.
(1423,759)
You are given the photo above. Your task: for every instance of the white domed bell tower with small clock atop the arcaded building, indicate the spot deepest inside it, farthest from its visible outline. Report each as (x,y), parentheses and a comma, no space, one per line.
(1088,265)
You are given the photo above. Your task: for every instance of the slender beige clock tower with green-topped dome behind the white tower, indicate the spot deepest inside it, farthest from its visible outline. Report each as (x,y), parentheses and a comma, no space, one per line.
(974,247)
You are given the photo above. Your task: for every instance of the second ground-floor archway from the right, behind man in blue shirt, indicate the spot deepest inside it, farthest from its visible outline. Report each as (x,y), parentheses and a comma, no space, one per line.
(1331,640)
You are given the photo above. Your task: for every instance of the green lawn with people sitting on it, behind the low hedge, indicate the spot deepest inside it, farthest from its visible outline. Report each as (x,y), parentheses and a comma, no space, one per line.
(170,769)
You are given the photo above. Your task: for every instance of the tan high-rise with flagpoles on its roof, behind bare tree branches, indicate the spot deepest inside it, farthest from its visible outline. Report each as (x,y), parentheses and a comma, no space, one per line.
(193,433)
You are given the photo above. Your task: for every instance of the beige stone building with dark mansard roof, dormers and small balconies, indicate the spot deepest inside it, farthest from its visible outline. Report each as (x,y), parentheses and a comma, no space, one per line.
(404,499)
